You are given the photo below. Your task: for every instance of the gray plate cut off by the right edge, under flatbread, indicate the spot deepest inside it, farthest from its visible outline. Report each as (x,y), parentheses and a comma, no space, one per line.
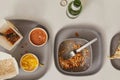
(114,44)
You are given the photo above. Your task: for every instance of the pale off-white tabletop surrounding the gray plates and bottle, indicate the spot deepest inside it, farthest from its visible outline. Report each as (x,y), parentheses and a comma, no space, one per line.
(105,14)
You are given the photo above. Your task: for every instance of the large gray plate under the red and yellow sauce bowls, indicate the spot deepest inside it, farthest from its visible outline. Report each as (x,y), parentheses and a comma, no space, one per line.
(43,53)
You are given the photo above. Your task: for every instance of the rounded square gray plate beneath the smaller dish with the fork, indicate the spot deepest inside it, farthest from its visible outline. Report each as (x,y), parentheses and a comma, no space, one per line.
(85,32)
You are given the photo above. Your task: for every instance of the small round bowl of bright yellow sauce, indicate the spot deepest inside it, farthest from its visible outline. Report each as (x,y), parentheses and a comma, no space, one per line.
(29,62)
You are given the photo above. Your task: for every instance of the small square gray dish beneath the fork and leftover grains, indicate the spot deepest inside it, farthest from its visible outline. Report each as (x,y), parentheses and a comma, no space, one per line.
(68,45)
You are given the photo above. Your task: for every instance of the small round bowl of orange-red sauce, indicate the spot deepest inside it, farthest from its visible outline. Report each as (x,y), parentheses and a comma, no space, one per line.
(38,36)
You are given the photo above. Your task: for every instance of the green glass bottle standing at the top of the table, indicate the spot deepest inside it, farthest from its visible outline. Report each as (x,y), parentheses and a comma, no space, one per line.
(74,9)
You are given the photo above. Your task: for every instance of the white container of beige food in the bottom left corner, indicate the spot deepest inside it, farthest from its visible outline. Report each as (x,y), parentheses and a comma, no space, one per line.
(8,66)
